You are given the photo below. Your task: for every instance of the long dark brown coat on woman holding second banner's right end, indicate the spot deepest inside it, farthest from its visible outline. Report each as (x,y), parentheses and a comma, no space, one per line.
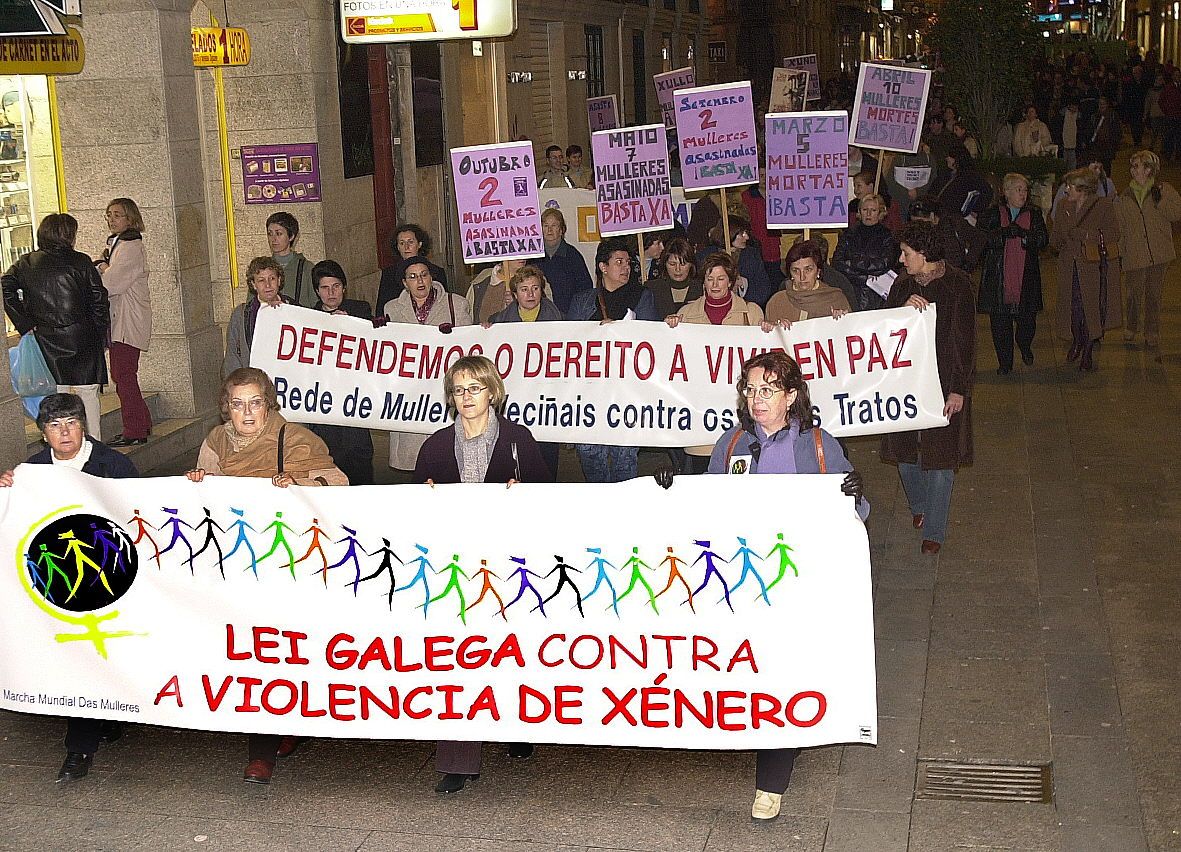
(943,448)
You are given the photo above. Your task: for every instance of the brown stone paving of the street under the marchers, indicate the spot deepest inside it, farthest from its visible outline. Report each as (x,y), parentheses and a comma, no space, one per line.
(1047,632)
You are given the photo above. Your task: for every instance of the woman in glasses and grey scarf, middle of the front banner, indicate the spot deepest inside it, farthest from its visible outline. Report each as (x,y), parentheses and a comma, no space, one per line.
(479,447)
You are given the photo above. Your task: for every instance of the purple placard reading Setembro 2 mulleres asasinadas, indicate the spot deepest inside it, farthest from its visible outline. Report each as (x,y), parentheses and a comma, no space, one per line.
(716,135)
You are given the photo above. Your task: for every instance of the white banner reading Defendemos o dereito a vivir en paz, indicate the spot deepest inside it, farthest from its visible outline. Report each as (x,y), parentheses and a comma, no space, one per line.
(634,385)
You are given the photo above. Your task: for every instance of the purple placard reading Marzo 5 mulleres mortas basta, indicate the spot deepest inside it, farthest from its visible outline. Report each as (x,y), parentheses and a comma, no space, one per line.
(807,170)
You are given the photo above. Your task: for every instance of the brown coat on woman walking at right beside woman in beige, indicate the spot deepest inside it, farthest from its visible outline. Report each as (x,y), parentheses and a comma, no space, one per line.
(1073,230)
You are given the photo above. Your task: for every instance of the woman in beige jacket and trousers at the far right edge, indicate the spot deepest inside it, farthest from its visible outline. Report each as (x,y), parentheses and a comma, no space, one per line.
(1147,211)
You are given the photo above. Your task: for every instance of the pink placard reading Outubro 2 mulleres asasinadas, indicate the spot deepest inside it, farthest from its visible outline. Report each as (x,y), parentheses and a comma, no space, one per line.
(497,200)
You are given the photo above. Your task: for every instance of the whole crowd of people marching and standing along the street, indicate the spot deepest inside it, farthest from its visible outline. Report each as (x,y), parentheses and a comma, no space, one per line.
(961,240)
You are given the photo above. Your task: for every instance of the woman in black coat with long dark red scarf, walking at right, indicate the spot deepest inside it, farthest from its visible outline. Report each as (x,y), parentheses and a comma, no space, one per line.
(1012,278)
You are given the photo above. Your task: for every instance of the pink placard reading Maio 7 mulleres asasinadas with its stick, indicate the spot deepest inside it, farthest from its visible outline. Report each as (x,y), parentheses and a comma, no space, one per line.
(631,180)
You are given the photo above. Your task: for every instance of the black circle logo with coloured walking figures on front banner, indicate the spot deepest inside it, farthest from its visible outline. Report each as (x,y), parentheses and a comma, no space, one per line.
(82,563)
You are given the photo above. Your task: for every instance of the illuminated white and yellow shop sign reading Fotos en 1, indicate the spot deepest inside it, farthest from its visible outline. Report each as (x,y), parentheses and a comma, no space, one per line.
(364,22)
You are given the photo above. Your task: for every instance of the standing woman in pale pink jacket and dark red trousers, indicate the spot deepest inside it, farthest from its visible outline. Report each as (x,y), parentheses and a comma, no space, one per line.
(125,270)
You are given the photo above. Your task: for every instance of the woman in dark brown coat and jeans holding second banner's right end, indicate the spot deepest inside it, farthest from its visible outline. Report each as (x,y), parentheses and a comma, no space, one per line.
(928,459)
